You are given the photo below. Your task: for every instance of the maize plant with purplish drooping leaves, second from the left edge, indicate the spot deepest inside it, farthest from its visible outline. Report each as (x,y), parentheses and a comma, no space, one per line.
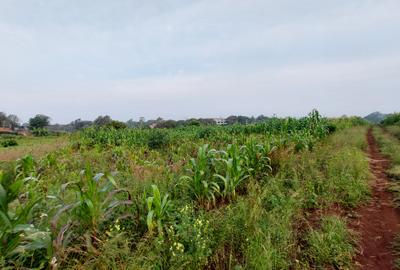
(96,198)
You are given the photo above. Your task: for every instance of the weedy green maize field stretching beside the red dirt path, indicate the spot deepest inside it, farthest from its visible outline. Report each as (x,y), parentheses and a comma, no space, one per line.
(282,194)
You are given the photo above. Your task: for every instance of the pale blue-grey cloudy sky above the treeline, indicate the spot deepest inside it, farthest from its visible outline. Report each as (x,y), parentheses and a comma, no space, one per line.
(179,59)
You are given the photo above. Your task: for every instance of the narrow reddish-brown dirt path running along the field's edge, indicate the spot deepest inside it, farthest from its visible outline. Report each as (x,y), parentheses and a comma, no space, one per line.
(379,221)
